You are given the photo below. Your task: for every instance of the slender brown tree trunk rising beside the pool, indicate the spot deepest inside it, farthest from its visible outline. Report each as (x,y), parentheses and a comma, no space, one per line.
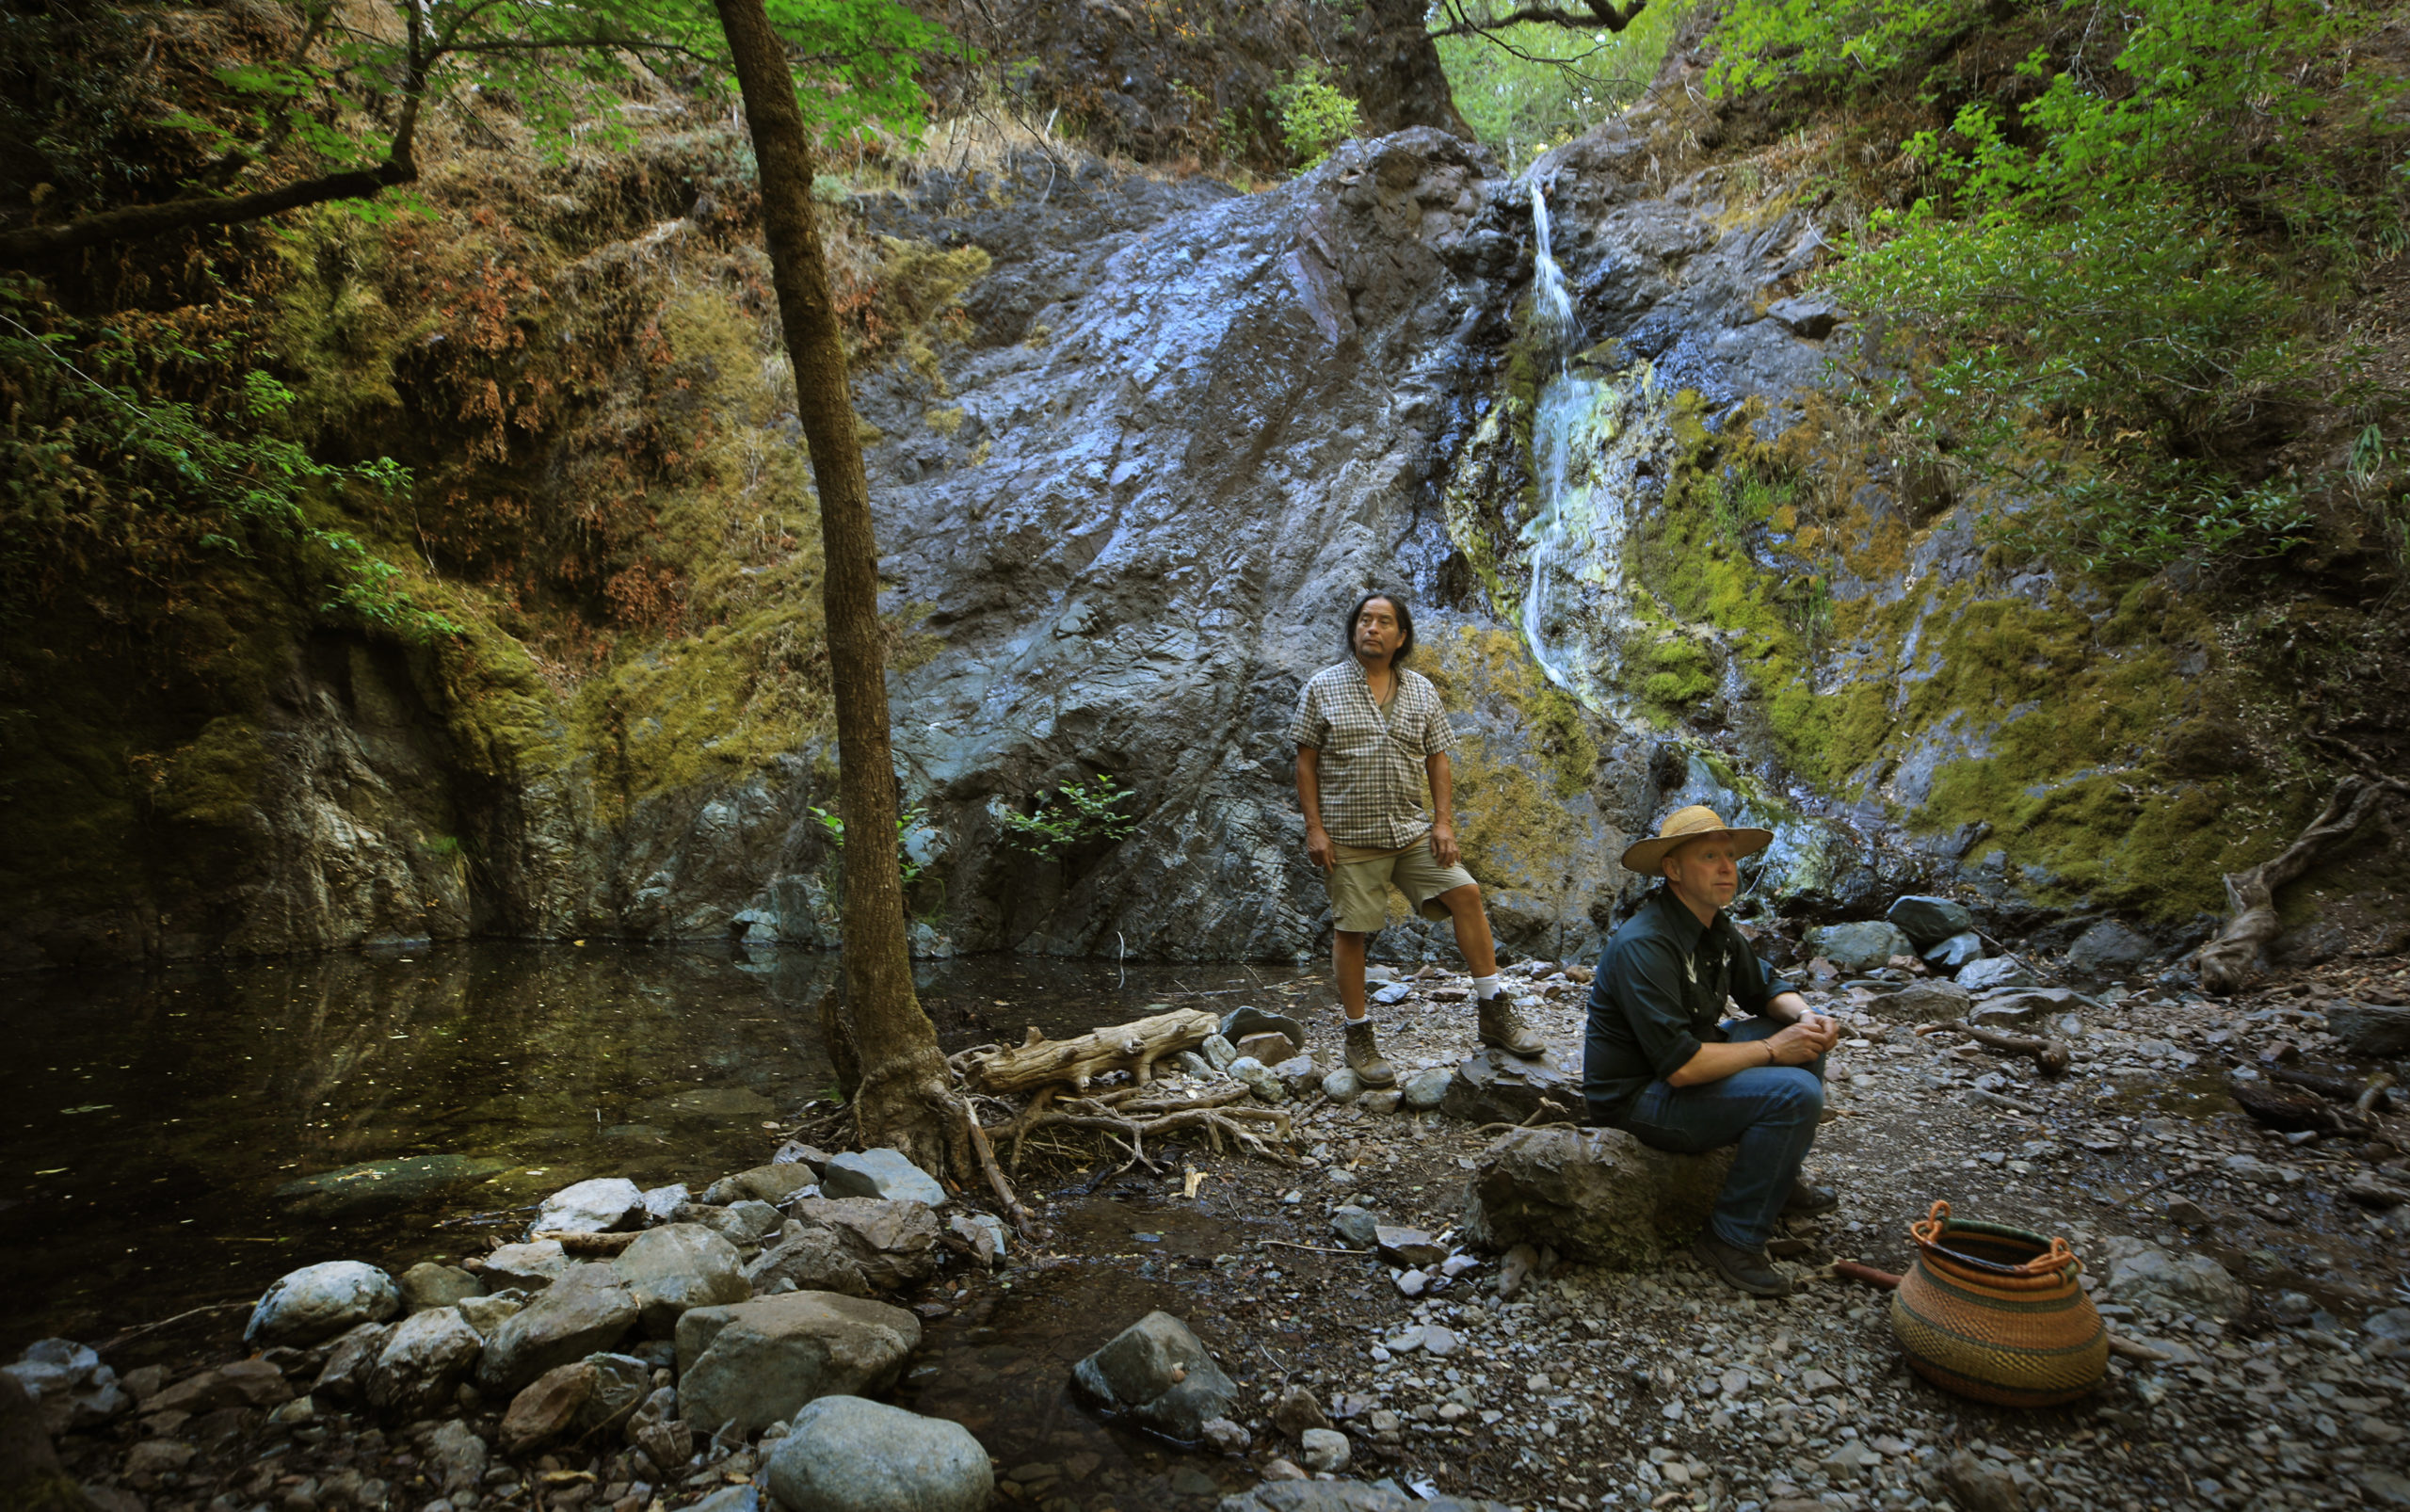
(907,1096)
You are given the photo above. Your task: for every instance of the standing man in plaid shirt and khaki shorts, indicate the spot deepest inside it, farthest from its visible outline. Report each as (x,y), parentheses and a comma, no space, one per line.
(1368,737)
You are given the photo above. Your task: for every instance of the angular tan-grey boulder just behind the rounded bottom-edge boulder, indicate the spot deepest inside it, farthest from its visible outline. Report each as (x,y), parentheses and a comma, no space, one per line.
(753,1364)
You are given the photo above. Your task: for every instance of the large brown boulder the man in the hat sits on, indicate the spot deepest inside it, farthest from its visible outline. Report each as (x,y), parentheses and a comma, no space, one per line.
(1597,1195)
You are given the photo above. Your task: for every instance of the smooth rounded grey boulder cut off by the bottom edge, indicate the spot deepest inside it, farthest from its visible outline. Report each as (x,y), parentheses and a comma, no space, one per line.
(852,1455)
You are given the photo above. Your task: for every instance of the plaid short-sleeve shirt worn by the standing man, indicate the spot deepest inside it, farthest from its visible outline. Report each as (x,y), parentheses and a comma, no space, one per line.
(1370,768)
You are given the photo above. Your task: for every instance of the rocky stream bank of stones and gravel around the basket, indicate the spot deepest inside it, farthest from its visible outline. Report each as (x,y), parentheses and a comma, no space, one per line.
(1360,1323)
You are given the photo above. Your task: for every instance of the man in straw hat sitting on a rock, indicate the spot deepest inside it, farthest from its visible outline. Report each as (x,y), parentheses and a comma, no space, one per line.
(1662,1067)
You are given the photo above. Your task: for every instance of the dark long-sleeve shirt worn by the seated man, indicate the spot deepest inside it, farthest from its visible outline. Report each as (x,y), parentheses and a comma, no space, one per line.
(1659,997)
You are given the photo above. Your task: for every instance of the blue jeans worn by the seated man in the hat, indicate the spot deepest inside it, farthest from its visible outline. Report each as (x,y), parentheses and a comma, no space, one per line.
(1768,1110)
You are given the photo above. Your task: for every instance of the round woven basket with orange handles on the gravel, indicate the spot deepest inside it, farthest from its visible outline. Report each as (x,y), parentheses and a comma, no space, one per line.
(1994,1313)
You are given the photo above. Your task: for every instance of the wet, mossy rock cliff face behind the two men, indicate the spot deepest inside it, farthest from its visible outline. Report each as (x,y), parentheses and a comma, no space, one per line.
(1122,524)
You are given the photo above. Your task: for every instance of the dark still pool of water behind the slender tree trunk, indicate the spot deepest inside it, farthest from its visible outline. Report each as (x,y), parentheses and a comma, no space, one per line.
(189,1135)
